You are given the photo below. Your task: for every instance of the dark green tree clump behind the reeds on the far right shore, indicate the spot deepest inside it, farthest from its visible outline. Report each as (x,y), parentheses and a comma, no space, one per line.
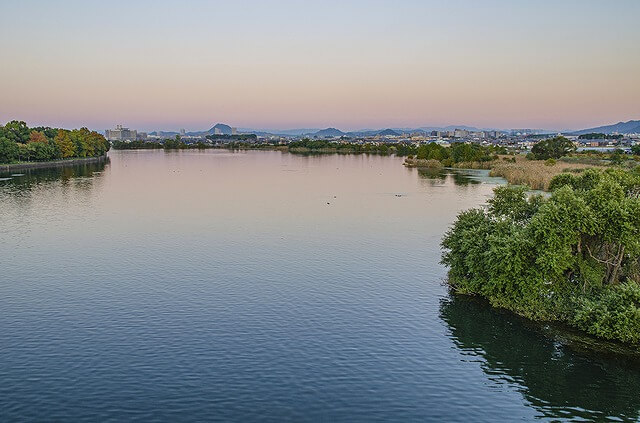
(458,153)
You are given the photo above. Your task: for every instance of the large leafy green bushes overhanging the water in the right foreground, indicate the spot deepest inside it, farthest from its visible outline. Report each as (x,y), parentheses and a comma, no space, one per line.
(573,256)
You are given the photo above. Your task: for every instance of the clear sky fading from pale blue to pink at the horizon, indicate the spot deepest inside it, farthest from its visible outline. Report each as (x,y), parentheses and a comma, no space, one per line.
(166,65)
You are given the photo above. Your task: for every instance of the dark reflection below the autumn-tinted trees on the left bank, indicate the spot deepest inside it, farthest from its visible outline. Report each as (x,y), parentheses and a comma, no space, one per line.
(27,179)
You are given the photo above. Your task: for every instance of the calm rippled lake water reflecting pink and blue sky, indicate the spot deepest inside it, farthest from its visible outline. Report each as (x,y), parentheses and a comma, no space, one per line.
(265,286)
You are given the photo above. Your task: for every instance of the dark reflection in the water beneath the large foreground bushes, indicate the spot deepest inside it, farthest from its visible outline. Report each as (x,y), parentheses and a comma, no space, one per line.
(556,380)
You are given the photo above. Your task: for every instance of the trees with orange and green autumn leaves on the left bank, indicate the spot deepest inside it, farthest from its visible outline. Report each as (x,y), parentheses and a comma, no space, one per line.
(18,142)
